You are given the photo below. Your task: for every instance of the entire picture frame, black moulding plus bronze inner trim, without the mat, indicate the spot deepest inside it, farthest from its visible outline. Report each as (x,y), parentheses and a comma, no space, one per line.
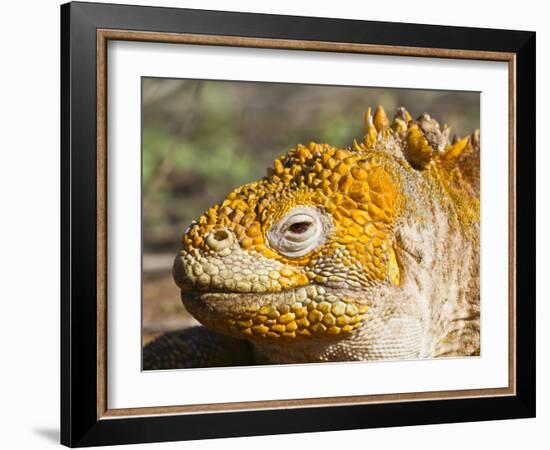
(86,418)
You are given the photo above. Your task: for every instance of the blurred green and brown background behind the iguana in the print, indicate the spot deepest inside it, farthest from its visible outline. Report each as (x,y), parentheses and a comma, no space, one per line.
(201,139)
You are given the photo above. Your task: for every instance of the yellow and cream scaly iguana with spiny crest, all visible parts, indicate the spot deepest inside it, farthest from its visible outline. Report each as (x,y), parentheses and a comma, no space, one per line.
(363,253)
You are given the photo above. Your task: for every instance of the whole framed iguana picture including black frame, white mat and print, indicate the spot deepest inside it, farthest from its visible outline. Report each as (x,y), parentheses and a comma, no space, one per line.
(276,224)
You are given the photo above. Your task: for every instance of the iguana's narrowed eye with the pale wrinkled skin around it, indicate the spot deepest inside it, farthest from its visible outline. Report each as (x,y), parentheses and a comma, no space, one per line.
(300,231)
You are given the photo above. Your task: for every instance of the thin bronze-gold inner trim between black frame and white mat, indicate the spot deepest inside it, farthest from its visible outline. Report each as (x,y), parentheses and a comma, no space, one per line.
(103,36)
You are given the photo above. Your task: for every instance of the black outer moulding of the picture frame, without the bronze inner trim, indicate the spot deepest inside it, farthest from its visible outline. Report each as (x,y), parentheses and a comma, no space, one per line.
(79,423)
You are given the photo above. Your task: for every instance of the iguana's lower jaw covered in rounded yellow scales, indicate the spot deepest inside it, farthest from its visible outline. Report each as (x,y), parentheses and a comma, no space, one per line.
(311,312)
